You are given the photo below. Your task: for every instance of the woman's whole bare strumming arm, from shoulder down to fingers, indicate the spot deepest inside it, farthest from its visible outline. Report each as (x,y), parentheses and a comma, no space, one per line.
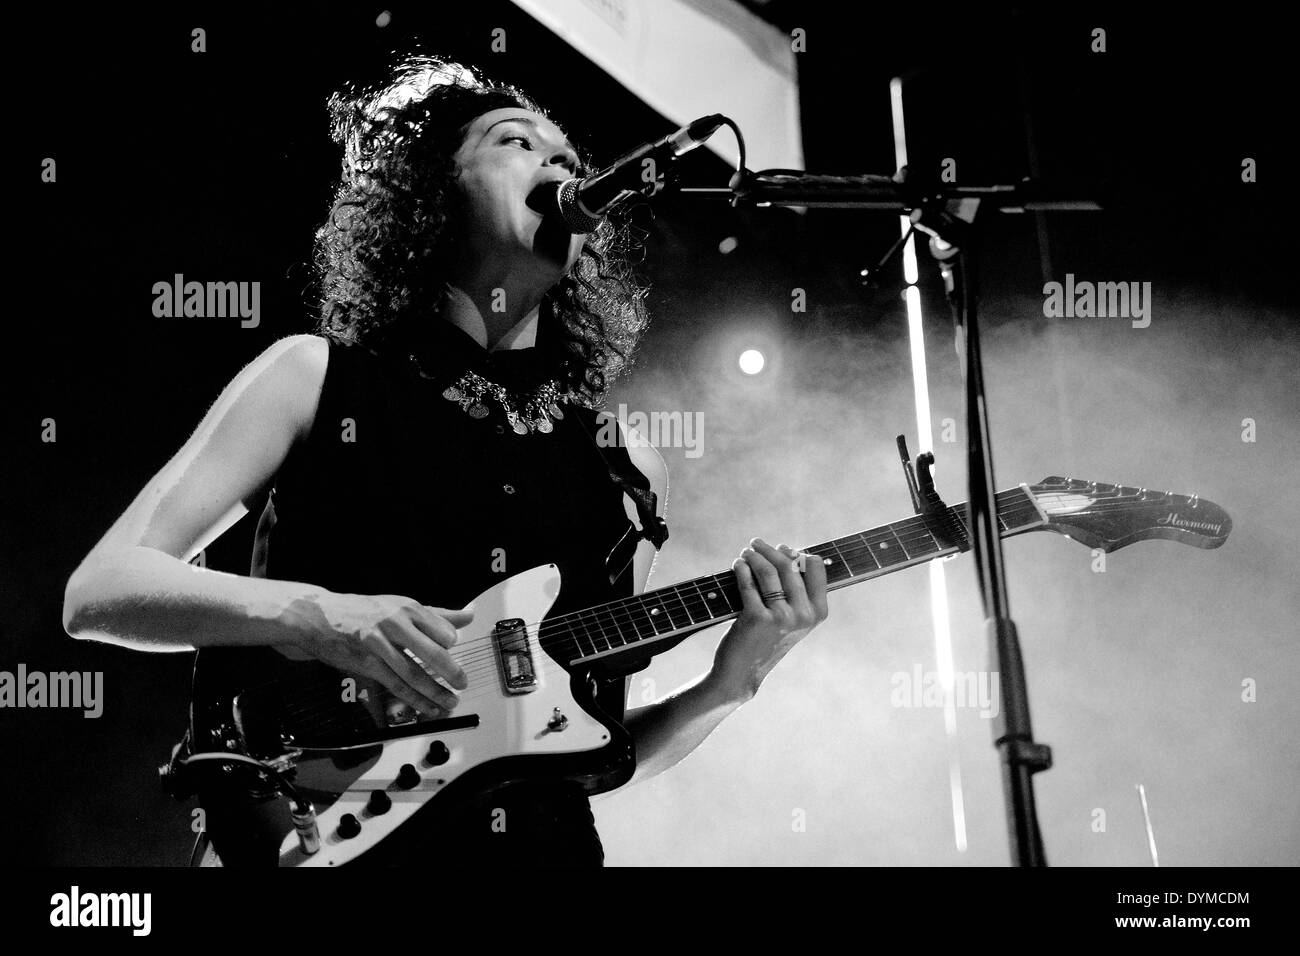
(137,590)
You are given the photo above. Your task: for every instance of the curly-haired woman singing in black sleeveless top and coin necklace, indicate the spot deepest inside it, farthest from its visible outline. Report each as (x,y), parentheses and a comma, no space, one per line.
(437,435)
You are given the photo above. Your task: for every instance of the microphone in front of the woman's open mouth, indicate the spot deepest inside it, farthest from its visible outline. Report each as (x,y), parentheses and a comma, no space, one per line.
(583,204)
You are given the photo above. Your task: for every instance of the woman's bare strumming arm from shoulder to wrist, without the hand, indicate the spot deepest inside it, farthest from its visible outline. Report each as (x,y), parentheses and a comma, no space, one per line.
(136,587)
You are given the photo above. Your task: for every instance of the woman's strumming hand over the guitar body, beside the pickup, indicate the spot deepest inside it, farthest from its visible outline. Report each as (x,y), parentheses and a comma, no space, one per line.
(375,637)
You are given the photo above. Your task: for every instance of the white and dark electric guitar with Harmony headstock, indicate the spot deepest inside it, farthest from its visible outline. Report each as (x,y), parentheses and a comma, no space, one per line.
(369,763)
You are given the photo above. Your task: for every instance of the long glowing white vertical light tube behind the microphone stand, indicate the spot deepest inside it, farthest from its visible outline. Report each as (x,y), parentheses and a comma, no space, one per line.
(926,443)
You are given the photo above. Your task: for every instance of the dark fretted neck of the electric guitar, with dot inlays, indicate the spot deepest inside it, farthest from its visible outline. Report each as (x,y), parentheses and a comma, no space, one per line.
(630,628)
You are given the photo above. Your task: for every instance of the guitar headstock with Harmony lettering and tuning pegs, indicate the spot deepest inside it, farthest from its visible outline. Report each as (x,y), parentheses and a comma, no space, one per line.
(1111,517)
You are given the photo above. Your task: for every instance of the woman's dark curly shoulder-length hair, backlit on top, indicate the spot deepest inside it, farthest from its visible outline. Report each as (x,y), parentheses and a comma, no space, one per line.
(384,254)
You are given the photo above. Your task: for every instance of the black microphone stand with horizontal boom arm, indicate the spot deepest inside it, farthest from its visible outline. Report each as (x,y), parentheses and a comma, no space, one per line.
(950,217)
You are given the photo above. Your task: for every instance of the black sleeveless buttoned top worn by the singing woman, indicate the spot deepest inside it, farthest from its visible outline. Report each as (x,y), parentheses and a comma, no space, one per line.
(398,491)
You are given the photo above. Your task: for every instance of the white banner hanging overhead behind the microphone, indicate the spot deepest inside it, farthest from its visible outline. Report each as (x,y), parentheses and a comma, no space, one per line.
(691,58)
